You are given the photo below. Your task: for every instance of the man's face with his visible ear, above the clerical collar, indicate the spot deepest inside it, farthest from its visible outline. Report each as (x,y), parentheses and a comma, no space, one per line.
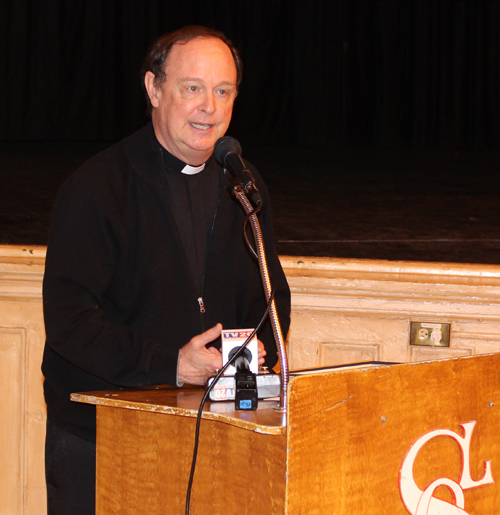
(193,107)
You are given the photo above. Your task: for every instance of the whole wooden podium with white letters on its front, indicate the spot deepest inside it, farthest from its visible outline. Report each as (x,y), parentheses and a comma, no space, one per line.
(367,440)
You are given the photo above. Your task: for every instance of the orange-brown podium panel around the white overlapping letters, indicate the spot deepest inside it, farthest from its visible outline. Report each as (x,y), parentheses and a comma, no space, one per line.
(349,432)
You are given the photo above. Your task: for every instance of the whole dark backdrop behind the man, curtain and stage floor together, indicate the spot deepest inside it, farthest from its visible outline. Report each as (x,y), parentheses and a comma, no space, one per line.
(375,122)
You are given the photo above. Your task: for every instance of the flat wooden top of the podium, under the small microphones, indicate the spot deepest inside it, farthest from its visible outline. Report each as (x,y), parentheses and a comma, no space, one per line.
(185,402)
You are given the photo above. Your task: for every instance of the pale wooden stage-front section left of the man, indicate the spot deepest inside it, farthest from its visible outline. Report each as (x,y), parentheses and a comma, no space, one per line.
(22,407)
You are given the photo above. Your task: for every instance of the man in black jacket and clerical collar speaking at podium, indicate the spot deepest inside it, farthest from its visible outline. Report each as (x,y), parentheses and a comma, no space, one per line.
(146,259)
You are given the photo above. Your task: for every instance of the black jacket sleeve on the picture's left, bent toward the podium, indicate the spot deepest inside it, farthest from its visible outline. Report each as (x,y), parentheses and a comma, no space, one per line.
(82,256)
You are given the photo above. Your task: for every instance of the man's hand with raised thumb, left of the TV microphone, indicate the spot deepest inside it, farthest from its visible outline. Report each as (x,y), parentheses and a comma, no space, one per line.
(196,362)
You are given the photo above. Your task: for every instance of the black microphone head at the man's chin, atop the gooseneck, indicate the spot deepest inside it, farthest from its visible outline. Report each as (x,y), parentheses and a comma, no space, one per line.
(227,151)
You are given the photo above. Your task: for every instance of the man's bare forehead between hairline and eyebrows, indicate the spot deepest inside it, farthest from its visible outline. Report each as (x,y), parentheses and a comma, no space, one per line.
(200,57)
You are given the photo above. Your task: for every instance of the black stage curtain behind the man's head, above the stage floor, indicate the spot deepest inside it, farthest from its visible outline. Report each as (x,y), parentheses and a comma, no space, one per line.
(395,73)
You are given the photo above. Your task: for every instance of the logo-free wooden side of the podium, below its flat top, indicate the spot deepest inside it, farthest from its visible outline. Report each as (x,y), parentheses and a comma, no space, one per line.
(144,460)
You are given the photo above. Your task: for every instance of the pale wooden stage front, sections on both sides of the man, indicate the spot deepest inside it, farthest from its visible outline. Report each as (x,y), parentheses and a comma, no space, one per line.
(341,310)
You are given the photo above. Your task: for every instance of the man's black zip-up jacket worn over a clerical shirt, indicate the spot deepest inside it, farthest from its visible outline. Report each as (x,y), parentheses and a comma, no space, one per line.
(119,297)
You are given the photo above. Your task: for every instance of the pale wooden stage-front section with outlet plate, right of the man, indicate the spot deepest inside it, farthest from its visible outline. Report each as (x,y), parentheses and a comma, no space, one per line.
(343,309)
